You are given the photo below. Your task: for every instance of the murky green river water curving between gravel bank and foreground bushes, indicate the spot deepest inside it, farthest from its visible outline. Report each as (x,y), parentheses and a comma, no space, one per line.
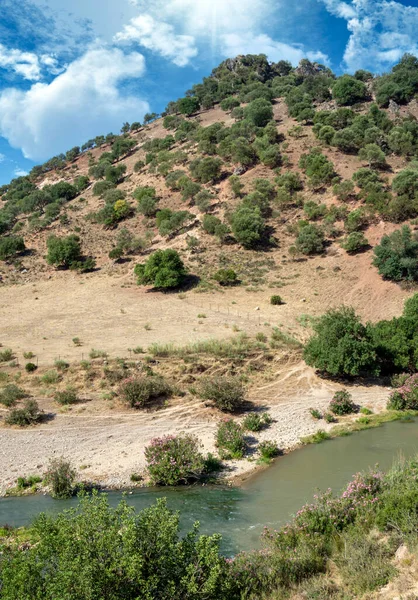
(269,498)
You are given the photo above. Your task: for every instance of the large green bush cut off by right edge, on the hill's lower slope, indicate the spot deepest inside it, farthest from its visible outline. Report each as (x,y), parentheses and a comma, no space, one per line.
(396,256)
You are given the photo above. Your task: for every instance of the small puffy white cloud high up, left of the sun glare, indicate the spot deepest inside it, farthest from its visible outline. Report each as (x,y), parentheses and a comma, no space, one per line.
(159,37)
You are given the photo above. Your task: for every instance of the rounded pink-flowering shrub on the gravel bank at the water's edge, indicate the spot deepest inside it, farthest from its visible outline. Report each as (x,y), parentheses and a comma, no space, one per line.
(174,460)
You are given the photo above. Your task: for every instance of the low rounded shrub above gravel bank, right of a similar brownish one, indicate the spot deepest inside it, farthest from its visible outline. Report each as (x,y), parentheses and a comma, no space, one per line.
(227,393)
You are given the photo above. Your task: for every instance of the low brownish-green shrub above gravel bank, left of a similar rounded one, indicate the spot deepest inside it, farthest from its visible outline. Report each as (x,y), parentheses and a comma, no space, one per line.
(141,392)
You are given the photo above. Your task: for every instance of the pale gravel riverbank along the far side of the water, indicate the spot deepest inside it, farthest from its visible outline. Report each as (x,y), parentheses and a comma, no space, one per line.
(107,449)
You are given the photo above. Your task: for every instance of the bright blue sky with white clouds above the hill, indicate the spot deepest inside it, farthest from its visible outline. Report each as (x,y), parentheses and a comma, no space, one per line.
(72,70)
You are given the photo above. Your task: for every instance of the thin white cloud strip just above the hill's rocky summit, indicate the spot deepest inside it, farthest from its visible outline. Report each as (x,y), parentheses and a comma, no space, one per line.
(234,44)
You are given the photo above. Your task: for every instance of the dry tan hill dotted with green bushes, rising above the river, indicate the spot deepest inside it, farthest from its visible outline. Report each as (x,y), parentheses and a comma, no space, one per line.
(268,181)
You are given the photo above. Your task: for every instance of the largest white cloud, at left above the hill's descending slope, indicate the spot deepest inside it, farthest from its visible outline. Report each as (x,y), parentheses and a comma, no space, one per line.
(78,104)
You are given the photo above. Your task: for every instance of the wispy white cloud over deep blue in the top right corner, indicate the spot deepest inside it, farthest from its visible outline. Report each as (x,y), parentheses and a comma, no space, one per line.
(381,31)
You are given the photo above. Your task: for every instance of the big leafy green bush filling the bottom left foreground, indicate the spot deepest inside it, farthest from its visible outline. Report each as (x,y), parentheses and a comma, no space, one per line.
(95,551)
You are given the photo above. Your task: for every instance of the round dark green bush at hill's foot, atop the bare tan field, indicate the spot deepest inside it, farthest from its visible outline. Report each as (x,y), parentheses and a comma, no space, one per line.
(164,269)
